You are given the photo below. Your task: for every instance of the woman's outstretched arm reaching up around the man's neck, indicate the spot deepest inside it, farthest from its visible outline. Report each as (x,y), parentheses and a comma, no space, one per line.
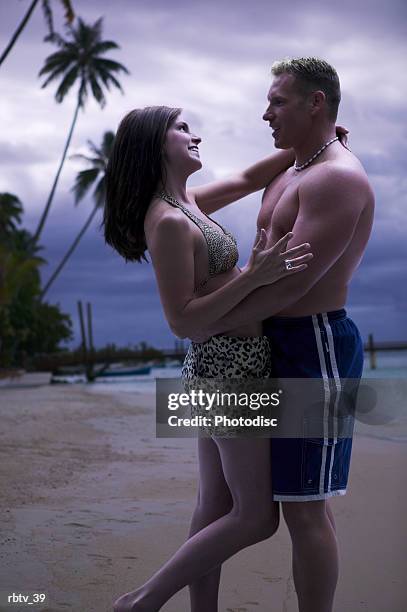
(218,194)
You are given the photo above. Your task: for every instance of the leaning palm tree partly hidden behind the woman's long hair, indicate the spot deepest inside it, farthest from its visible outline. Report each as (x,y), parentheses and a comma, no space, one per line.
(83,182)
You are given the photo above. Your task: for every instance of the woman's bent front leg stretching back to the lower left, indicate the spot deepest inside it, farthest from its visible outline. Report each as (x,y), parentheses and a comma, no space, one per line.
(253,517)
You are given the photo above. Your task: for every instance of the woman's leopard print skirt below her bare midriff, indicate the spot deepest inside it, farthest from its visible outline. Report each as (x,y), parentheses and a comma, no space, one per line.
(230,364)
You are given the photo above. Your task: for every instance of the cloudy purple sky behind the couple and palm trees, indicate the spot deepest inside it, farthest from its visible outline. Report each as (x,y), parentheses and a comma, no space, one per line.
(213,59)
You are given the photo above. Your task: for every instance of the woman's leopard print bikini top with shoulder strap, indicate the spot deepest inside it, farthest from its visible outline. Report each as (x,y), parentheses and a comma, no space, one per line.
(222,246)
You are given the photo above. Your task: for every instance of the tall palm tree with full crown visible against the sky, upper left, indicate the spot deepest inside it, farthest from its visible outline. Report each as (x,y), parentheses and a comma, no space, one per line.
(79,61)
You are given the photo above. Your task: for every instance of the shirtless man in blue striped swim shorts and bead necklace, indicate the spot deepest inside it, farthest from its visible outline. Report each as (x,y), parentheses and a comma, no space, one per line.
(324,199)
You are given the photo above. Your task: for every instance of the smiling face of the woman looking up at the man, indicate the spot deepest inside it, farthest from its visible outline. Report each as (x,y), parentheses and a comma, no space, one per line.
(181,151)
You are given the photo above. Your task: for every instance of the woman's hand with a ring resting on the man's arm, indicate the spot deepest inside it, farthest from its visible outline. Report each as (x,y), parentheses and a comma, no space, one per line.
(266,266)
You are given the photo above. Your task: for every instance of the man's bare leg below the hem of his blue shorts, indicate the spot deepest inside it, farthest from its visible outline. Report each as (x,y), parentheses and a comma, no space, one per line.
(315,554)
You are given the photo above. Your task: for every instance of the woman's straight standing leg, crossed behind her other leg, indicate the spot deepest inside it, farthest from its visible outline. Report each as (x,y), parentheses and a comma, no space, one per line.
(214,501)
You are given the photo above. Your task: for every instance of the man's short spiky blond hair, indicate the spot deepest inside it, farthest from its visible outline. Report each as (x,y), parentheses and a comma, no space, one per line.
(313,74)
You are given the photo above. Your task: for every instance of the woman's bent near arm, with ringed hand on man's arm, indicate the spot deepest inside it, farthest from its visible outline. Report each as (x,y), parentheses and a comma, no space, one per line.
(171,246)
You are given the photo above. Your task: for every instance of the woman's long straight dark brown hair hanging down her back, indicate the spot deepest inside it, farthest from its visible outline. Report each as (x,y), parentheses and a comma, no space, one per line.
(133,173)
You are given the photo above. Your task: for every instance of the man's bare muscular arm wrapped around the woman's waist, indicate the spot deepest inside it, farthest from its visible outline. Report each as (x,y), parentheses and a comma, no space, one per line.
(330,204)
